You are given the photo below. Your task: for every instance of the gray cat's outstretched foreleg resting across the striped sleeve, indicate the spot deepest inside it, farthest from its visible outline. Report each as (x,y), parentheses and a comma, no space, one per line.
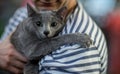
(42,48)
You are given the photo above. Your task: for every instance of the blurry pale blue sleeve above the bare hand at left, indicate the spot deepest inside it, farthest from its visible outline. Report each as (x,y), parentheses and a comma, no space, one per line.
(18,17)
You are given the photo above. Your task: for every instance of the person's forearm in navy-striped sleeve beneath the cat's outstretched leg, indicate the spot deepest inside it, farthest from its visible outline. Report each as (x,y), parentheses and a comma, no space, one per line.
(72,59)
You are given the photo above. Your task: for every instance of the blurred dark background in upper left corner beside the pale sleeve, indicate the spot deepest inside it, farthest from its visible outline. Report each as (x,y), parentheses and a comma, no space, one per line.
(7,8)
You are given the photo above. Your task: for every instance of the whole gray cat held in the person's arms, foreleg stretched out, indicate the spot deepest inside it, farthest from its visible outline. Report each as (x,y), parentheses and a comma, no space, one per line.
(37,36)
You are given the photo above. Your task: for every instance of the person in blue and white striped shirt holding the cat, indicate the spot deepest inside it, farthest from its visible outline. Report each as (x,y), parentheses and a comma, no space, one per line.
(69,59)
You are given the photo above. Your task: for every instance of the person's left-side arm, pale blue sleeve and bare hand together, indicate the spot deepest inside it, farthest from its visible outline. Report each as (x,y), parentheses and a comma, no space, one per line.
(10,59)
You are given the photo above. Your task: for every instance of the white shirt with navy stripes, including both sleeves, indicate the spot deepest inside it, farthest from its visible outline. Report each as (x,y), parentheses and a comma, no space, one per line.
(71,59)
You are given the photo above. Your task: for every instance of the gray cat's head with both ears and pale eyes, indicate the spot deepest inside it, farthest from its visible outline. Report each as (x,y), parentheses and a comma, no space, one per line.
(46,23)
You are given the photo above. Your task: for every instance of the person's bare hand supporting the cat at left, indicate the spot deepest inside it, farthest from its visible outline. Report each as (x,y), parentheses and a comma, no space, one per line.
(10,59)
